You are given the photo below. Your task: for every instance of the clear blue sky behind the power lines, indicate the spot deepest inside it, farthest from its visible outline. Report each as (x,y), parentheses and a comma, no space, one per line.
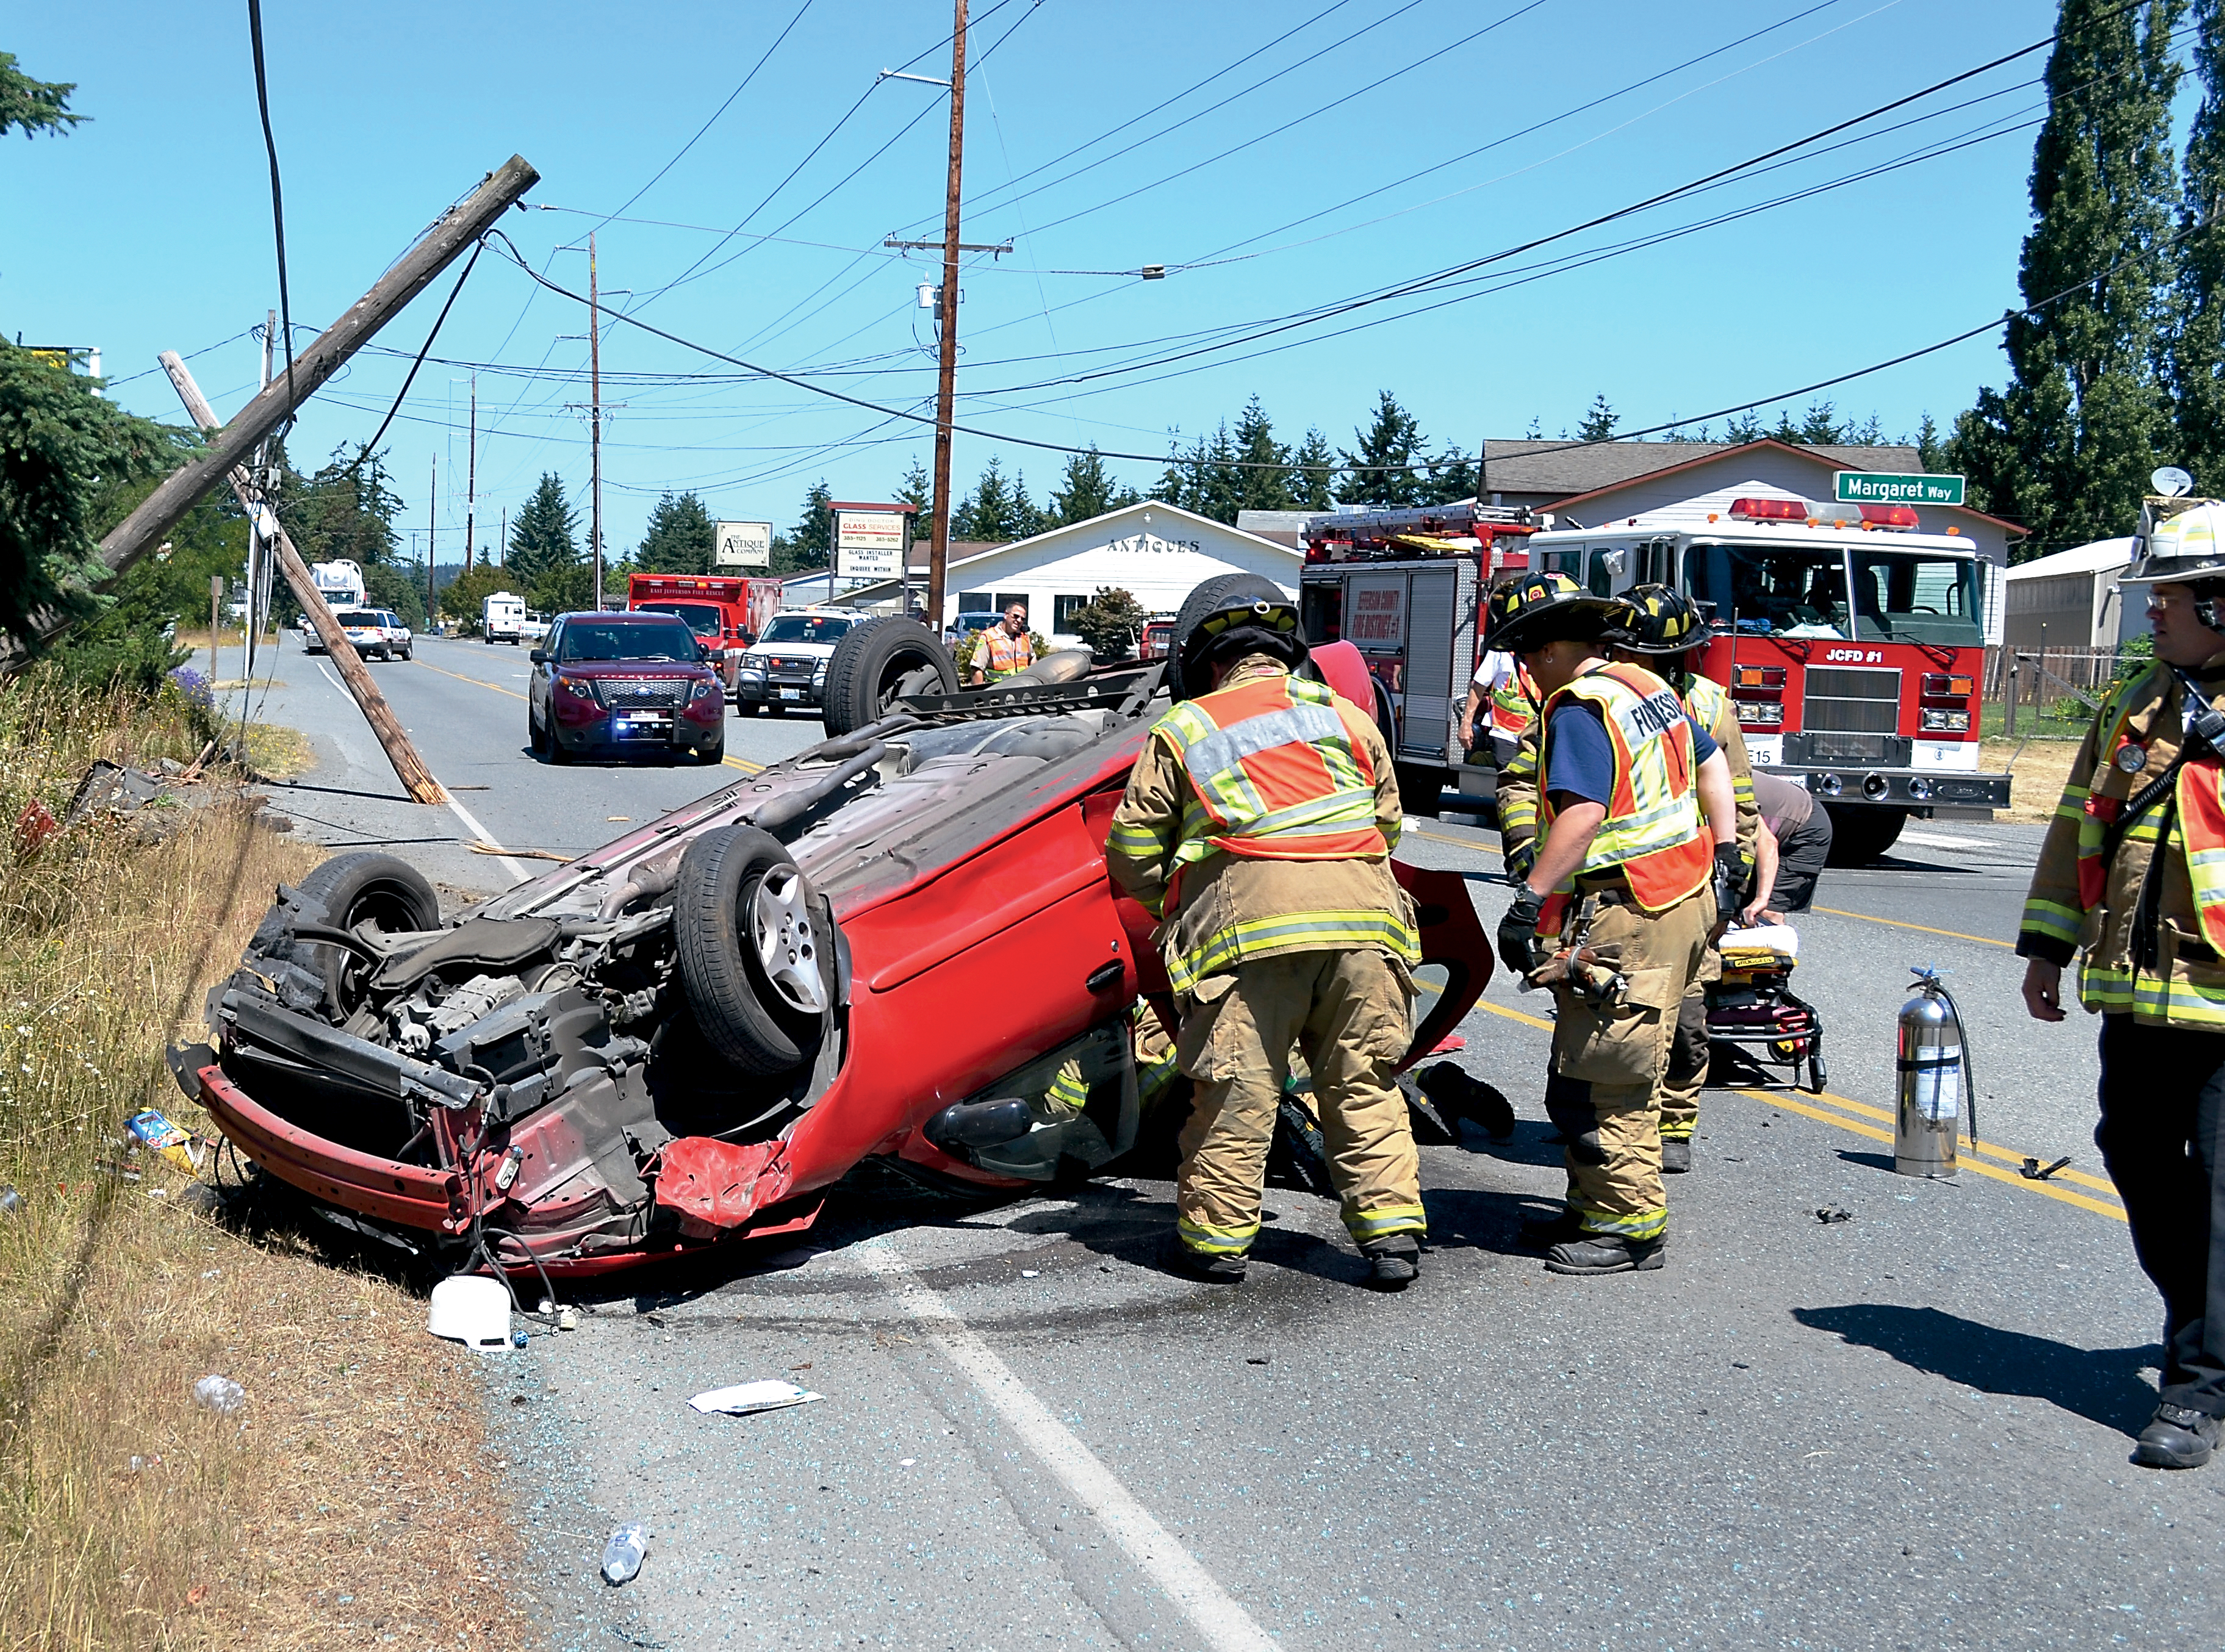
(148,228)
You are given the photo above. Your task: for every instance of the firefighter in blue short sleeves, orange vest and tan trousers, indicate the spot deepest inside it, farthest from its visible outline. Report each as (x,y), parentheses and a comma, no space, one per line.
(1636,866)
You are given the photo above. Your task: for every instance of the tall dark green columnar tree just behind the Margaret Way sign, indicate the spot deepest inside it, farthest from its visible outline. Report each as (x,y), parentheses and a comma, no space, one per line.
(2086,417)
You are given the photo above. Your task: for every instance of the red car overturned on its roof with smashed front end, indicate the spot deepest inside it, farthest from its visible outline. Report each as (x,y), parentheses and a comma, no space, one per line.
(896,946)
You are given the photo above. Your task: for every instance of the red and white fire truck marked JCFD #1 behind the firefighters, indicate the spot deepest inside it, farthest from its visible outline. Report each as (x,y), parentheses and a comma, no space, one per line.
(1850,641)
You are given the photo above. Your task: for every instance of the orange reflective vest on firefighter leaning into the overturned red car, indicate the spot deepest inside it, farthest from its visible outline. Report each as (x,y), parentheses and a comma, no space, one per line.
(1276,773)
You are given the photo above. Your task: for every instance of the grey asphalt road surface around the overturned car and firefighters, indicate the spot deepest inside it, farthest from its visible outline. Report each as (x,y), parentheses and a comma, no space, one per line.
(1899,1431)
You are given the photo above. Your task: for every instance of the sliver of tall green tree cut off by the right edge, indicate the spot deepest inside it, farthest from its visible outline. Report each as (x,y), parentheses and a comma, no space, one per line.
(2199,335)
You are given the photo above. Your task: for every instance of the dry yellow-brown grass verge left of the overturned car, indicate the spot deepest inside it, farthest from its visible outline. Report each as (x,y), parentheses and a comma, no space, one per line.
(350,1500)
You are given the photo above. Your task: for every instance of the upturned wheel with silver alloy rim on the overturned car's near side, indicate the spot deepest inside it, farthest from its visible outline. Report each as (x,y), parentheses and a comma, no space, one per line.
(755,951)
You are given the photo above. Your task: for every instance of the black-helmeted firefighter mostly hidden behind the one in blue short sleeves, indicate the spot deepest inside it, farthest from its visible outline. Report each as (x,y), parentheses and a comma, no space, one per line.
(1663,630)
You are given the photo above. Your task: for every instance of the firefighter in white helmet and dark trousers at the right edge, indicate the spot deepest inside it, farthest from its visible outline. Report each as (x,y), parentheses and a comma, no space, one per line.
(2133,875)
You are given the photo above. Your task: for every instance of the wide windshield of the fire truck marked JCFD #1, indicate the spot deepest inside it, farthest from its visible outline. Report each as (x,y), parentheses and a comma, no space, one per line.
(1895,597)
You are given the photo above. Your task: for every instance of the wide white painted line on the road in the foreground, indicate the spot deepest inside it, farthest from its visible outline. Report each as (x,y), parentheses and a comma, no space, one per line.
(1220,1622)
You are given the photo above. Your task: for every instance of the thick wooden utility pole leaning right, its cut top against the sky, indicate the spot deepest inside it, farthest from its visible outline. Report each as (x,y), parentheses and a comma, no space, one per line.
(411,275)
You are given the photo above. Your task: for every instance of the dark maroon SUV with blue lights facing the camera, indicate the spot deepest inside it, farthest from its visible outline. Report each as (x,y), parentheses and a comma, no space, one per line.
(624,684)
